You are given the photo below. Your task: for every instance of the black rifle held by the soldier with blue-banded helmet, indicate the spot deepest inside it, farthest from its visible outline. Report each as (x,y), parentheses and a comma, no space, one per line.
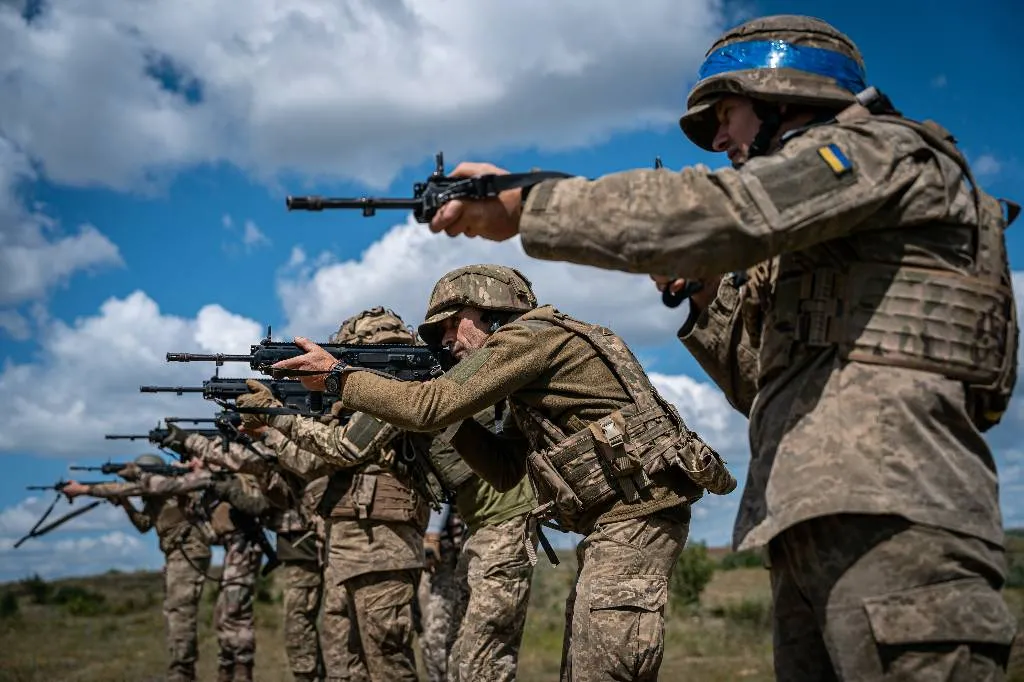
(431,196)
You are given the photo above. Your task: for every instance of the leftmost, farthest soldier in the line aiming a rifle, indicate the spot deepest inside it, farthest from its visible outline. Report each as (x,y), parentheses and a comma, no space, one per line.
(168,507)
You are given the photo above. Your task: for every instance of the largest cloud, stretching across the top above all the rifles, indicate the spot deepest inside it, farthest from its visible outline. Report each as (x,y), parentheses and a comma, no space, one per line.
(119,94)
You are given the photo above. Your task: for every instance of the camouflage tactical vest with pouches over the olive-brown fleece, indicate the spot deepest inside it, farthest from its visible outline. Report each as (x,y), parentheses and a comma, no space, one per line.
(615,458)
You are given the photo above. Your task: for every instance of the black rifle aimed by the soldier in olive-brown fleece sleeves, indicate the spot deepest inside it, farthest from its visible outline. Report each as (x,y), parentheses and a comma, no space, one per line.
(402,362)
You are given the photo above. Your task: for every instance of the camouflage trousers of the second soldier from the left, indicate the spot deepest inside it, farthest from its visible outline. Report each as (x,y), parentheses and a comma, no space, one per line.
(233,615)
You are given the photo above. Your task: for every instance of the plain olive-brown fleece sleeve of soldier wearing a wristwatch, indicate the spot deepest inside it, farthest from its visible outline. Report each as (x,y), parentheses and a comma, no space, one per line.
(513,358)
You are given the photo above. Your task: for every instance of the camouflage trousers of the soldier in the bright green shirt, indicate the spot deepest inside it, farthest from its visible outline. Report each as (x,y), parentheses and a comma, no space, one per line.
(493,580)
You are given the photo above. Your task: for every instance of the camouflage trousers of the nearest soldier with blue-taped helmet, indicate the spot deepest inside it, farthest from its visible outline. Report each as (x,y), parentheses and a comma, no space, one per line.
(873,599)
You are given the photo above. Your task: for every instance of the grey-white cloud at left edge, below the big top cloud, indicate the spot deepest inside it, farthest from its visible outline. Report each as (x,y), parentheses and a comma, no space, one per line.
(36,255)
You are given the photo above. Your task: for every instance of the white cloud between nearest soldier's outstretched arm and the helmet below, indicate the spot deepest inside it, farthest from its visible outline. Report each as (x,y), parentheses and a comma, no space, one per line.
(400,270)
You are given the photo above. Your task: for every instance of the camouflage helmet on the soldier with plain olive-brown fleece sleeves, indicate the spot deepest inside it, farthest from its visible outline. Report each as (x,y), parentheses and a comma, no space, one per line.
(487,287)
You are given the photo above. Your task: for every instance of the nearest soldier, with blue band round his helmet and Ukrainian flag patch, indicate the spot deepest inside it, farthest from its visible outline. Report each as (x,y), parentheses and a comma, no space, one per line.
(874,347)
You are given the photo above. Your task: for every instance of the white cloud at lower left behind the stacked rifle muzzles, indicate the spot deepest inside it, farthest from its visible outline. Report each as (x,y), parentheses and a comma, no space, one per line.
(101,362)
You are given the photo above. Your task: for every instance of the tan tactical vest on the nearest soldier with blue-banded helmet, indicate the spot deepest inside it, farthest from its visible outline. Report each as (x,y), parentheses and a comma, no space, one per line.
(956,321)
